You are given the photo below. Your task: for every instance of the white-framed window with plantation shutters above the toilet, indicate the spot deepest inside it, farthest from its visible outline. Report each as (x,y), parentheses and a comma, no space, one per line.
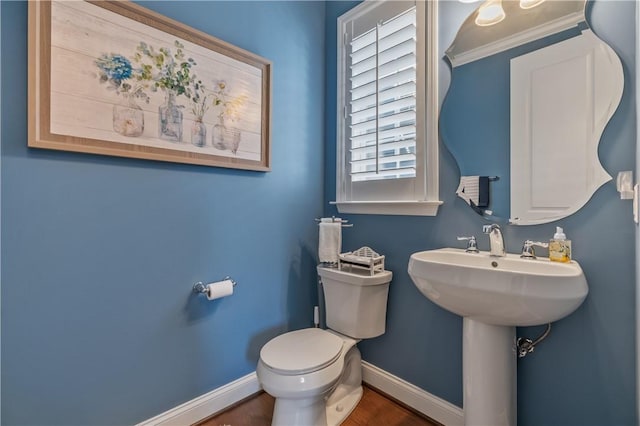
(387,109)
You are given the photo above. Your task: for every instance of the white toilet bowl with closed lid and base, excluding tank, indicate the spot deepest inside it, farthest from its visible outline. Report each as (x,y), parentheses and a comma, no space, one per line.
(302,368)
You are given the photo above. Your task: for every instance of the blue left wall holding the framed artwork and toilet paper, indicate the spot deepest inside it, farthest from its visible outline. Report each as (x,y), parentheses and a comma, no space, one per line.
(99,325)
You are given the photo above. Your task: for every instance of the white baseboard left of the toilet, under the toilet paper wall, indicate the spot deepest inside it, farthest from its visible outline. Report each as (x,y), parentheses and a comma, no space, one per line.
(204,406)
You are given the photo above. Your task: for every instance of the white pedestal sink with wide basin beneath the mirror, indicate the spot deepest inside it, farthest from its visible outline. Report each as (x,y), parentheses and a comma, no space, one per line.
(494,295)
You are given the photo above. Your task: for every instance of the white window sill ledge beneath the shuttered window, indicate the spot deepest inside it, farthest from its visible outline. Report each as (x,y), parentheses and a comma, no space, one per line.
(403,208)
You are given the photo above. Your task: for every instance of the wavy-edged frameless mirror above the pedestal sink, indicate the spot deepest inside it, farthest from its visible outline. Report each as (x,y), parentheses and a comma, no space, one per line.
(532,90)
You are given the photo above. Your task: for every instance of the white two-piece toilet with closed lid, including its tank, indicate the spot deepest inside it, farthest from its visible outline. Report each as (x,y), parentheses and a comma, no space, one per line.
(315,375)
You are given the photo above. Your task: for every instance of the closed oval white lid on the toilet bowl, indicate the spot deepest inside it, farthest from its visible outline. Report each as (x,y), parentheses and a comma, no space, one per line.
(301,351)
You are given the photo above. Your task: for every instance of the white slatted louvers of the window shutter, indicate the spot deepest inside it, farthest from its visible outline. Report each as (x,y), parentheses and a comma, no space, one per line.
(382,104)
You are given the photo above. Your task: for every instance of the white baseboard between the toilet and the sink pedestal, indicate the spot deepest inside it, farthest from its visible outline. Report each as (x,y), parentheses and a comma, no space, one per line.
(430,405)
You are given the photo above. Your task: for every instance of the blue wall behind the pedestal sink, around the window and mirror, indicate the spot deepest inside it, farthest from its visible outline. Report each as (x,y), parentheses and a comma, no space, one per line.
(584,372)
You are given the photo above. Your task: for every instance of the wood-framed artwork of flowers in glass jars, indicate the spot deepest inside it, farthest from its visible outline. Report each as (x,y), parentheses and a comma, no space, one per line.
(114,78)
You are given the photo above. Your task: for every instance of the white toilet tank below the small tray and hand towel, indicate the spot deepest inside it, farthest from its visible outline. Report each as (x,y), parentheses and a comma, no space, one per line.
(355,301)
